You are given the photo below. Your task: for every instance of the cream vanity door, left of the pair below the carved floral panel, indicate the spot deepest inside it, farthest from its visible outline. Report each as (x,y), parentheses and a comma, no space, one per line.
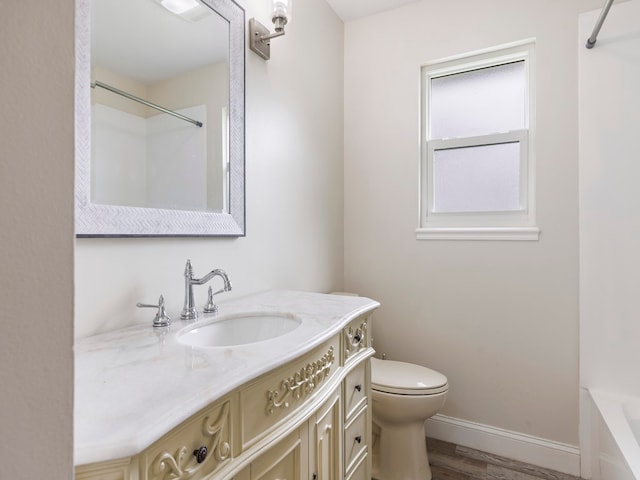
(284,461)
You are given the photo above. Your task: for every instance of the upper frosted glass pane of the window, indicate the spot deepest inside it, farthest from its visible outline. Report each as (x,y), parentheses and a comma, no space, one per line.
(479,102)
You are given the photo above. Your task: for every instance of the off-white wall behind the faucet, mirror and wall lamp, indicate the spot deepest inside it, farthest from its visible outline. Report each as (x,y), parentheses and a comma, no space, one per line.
(294,185)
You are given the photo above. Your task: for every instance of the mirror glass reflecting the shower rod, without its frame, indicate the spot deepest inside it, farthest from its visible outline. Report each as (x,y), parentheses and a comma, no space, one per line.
(159,105)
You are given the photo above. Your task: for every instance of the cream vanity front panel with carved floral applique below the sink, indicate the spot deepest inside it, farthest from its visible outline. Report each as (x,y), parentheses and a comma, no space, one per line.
(271,399)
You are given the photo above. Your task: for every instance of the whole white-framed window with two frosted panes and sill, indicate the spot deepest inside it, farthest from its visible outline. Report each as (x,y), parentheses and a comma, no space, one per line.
(477,163)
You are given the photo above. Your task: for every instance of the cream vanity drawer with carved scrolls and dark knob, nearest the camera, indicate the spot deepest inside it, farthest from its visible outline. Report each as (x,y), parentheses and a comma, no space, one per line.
(174,455)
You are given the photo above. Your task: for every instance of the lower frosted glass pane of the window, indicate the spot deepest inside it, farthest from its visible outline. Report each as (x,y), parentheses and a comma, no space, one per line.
(477,179)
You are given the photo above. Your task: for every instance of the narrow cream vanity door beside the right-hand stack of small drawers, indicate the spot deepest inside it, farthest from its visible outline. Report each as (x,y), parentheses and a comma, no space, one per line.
(325,438)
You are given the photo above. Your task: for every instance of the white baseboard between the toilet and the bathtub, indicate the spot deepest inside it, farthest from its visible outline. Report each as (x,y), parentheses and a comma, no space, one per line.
(516,446)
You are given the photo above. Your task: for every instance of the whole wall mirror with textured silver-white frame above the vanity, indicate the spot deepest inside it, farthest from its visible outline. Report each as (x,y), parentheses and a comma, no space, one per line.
(159,118)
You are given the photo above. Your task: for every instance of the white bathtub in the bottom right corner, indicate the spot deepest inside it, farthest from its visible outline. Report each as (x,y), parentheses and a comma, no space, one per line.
(616,436)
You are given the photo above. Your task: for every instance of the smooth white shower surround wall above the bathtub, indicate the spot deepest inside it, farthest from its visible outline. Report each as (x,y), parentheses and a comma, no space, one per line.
(610,202)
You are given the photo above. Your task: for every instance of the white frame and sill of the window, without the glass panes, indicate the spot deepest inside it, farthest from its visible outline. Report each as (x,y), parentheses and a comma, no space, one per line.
(482,225)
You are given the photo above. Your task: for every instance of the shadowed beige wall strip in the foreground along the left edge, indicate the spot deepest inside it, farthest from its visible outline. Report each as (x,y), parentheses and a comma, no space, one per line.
(36,239)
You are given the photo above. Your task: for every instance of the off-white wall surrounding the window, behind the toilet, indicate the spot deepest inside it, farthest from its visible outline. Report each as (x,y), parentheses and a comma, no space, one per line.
(500,319)
